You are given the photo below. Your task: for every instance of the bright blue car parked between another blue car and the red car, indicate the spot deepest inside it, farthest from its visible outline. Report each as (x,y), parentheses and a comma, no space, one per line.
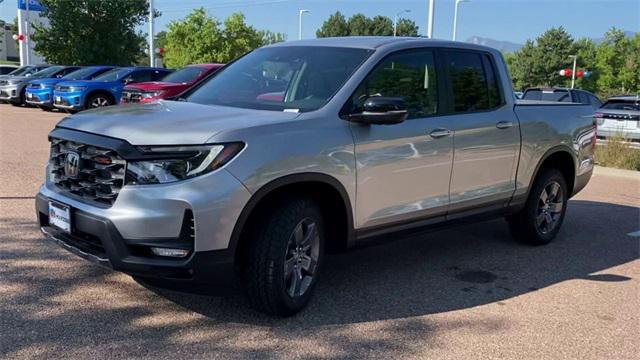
(104,90)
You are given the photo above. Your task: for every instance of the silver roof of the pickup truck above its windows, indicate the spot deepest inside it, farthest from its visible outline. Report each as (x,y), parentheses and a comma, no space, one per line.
(374,42)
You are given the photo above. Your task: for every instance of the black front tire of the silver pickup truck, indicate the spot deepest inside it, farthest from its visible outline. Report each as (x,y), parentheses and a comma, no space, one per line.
(267,286)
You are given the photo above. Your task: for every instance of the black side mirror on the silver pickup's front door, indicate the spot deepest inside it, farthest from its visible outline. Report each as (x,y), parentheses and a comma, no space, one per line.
(379,110)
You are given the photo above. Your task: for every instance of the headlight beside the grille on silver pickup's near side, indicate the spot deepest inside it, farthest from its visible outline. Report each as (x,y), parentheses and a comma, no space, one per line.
(175,163)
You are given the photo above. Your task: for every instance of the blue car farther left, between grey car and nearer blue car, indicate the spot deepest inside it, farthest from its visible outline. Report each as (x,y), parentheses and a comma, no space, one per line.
(40,91)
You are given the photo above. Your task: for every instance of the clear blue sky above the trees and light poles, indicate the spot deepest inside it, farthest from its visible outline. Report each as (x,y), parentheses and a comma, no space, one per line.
(508,20)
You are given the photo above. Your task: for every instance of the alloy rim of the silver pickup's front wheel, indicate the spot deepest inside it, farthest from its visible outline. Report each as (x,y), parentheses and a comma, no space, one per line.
(301,259)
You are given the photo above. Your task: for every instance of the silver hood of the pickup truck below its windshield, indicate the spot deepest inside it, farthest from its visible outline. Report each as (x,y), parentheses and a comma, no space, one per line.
(169,122)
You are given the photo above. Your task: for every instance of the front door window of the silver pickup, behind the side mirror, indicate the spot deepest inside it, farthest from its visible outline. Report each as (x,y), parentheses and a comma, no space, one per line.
(410,75)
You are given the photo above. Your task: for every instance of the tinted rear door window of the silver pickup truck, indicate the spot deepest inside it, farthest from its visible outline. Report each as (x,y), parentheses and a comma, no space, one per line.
(474,85)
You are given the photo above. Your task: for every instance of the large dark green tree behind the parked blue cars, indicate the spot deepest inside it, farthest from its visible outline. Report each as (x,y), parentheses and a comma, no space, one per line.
(91,32)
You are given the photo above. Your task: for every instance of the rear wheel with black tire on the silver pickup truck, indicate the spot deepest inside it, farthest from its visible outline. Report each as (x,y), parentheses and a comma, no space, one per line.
(526,226)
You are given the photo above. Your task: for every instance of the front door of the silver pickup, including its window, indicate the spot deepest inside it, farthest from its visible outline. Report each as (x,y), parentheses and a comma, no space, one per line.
(403,170)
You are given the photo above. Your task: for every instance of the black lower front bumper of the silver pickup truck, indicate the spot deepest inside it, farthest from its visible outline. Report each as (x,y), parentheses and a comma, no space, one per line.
(98,240)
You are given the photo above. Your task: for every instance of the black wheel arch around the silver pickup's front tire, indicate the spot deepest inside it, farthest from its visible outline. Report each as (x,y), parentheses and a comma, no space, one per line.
(327,190)
